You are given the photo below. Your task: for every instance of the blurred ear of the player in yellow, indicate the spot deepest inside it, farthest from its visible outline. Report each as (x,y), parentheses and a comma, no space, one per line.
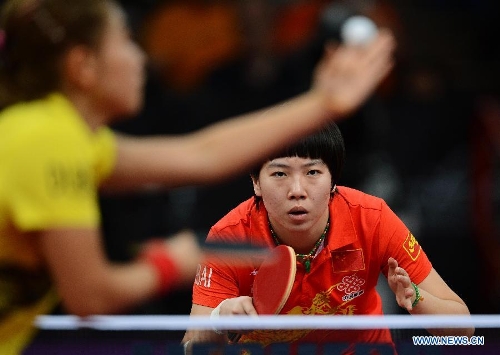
(80,66)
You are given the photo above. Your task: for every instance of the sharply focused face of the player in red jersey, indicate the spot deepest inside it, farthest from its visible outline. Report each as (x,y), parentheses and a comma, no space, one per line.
(296,192)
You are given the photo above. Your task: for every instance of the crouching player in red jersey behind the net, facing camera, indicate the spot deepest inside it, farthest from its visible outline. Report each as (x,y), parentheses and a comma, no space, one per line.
(343,239)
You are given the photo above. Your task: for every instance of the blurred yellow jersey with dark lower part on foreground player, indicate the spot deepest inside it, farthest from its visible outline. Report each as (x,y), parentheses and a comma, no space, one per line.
(51,164)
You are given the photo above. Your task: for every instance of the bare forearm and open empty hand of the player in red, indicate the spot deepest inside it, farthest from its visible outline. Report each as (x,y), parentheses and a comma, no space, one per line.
(436,297)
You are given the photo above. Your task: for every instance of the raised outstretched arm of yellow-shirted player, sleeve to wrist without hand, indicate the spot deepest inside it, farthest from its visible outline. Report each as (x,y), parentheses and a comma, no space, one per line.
(218,151)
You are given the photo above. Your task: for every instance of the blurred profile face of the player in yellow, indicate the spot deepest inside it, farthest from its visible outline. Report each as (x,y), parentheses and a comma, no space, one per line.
(120,69)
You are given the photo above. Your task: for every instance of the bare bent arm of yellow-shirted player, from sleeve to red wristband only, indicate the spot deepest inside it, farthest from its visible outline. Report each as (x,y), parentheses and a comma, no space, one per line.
(87,282)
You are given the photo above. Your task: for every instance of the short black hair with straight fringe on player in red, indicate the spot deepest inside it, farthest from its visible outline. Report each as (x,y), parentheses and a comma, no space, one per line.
(326,144)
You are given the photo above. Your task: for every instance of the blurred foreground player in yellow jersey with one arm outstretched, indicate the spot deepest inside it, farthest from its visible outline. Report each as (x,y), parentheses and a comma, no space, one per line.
(67,70)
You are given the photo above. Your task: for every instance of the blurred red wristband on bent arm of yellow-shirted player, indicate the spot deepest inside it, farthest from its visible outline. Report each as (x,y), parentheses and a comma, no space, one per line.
(156,254)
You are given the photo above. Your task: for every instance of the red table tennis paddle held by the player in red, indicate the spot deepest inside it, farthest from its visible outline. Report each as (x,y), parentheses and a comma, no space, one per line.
(273,283)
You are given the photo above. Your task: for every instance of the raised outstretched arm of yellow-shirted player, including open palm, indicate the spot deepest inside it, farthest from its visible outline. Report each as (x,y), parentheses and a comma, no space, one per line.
(343,80)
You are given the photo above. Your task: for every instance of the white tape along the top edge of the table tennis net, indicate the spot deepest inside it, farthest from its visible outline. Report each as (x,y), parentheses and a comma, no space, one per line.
(173,322)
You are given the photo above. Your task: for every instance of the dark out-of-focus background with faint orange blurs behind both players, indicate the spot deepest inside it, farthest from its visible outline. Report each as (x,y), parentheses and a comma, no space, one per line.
(425,142)
